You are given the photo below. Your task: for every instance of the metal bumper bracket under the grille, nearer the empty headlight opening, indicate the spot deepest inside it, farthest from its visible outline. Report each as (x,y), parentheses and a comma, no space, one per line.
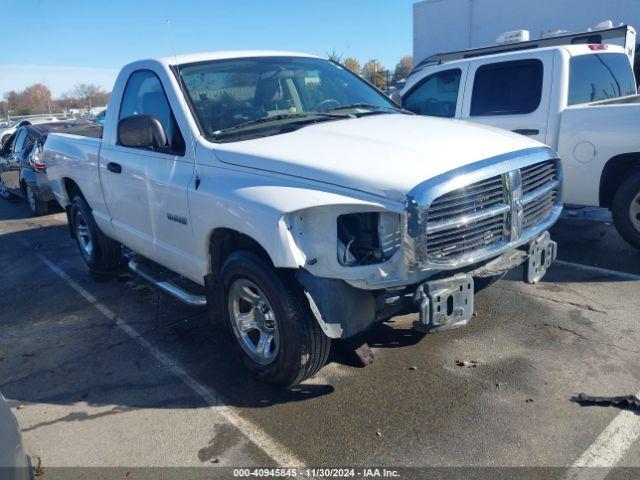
(444,304)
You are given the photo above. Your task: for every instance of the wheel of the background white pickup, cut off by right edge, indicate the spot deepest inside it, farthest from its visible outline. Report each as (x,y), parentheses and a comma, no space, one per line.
(626,210)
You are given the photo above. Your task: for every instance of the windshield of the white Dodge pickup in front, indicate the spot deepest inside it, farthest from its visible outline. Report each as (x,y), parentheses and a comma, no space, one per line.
(268,95)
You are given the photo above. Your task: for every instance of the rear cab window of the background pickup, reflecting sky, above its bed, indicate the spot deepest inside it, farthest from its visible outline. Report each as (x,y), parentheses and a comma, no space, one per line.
(600,77)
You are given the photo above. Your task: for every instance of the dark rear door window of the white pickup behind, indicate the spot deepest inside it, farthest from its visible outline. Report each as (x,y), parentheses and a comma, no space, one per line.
(507,88)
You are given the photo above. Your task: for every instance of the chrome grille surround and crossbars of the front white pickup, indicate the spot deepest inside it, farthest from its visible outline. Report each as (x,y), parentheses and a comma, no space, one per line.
(420,198)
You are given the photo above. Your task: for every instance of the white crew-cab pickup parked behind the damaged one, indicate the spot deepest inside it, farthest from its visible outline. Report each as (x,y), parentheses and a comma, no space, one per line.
(581,100)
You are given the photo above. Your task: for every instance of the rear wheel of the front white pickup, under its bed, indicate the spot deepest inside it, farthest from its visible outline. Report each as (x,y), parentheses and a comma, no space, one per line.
(100,253)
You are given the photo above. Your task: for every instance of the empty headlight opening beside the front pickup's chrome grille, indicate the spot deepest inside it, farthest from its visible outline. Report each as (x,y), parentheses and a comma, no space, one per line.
(368,238)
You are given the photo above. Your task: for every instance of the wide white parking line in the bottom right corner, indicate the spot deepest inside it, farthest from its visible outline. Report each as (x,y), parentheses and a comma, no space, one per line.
(609,448)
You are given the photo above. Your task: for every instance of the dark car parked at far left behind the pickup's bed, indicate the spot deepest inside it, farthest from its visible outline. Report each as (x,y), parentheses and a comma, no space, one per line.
(22,168)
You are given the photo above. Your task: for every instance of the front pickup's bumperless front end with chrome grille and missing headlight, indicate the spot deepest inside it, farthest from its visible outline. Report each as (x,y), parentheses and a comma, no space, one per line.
(455,231)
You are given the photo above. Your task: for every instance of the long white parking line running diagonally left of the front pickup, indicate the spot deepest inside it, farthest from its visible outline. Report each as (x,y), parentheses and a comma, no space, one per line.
(281,455)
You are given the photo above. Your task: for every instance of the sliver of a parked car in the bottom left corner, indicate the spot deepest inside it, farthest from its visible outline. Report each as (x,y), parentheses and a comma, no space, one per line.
(14,462)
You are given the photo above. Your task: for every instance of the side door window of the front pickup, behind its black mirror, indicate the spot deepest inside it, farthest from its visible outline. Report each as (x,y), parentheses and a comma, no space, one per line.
(144,95)
